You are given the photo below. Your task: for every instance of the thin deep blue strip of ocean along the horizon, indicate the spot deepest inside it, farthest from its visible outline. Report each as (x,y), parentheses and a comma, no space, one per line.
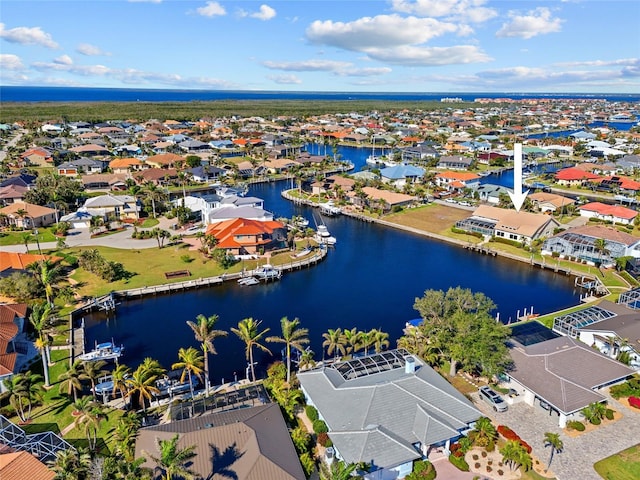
(31,94)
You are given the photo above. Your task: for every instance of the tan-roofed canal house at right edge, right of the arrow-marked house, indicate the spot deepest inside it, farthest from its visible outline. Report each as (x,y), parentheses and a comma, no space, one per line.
(580,243)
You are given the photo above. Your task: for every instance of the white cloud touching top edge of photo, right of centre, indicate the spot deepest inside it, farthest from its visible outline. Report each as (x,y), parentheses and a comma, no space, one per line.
(467,10)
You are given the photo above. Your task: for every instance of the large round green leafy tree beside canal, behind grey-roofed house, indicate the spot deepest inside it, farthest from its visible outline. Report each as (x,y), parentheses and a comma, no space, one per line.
(459,326)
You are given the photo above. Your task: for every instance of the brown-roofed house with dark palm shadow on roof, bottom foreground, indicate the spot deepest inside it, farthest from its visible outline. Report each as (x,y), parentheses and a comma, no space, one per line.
(243,444)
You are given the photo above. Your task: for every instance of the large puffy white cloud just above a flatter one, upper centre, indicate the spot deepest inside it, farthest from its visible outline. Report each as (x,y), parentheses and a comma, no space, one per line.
(382,31)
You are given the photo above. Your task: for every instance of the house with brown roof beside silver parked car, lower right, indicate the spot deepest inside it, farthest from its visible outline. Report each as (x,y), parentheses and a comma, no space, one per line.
(563,375)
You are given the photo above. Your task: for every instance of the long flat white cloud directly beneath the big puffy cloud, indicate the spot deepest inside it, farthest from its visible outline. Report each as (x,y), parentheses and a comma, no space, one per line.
(430,56)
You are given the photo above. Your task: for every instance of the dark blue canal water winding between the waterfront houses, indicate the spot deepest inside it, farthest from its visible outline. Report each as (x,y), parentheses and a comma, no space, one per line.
(369,280)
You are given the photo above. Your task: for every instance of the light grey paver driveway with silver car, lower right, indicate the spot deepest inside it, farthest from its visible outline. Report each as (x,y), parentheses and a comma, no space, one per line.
(581,452)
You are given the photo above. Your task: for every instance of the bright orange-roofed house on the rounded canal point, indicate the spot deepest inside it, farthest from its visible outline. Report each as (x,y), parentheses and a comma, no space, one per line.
(242,236)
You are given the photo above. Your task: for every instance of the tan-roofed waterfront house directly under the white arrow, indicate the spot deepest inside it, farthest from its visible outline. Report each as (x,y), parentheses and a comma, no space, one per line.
(521,227)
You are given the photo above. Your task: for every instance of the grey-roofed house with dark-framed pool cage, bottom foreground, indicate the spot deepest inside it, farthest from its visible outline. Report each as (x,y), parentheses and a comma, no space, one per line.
(387,409)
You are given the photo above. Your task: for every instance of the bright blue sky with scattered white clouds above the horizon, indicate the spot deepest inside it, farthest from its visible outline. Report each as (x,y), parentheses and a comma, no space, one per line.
(579,46)
